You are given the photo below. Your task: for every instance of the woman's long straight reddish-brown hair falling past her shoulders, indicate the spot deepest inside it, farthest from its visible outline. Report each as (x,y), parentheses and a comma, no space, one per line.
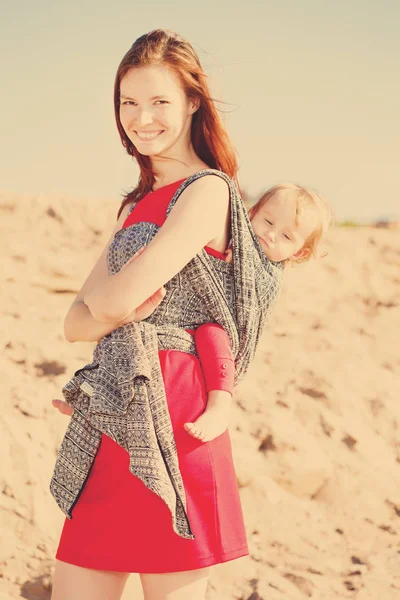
(209,137)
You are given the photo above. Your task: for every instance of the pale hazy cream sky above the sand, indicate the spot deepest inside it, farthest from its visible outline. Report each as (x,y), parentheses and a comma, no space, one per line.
(311,93)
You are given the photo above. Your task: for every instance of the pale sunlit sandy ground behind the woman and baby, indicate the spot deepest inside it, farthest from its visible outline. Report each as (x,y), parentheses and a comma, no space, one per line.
(315,426)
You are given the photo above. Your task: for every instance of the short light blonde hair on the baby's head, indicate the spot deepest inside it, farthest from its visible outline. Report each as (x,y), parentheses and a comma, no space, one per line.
(307,202)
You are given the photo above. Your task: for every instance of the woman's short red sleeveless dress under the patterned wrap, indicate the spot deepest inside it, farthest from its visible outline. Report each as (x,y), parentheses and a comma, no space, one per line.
(107,530)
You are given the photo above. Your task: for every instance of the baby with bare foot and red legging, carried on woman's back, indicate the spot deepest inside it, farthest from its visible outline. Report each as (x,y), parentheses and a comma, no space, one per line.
(288,221)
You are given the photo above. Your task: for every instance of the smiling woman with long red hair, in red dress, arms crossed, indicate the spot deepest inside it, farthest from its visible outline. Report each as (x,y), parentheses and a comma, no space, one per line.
(168,122)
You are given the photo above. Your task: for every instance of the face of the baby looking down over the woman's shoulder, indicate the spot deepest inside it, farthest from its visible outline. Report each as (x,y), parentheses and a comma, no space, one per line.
(275,227)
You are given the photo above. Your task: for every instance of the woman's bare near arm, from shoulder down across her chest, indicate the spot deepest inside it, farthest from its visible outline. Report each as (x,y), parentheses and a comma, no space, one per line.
(200,215)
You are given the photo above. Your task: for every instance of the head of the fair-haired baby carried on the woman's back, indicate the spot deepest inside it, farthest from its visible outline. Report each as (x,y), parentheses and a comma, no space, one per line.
(289,221)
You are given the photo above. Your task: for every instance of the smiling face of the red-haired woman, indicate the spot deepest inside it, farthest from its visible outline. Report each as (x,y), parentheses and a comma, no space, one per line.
(155,112)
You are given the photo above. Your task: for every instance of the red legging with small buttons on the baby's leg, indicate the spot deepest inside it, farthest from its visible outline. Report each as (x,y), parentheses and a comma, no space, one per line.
(215,355)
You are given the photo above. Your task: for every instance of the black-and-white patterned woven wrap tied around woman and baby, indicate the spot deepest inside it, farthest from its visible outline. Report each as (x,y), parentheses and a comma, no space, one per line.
(121,393)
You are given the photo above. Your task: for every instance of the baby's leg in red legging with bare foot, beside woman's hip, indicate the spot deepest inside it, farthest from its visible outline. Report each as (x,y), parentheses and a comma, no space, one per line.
(216,359)
